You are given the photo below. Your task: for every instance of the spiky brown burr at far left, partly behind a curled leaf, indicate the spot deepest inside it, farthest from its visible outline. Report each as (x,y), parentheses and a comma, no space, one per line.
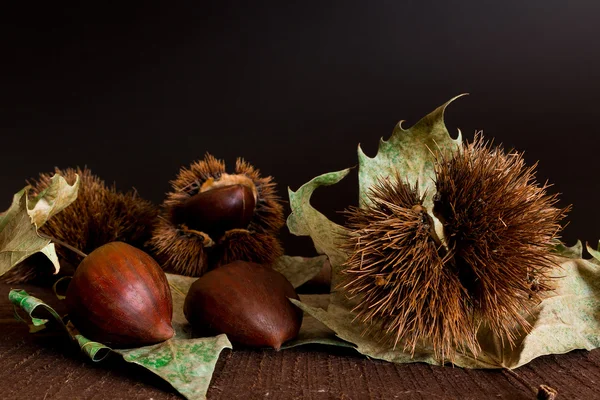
(100,214)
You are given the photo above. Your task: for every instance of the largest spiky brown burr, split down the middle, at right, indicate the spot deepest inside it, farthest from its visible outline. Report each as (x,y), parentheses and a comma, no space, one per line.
(499,226)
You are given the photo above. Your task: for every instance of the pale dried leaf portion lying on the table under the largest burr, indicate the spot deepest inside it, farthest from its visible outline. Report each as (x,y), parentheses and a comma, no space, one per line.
(567,320)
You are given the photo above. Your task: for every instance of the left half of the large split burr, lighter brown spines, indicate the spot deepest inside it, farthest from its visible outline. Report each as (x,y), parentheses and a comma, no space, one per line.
(398,267)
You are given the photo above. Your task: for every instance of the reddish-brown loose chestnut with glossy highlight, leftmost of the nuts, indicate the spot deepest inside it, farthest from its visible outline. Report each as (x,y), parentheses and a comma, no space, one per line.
(120,296)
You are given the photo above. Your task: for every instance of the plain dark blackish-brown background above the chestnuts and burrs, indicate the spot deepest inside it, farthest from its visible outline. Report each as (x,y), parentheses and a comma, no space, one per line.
(294,87)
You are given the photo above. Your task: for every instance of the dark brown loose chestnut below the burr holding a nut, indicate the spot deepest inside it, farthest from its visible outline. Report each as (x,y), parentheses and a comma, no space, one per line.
(247,301)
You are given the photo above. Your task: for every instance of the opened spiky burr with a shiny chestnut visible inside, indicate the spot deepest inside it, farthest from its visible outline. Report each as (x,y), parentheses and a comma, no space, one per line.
(212,218)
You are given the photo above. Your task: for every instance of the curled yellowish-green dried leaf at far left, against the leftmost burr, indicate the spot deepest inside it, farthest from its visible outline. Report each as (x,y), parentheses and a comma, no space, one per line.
(19,238)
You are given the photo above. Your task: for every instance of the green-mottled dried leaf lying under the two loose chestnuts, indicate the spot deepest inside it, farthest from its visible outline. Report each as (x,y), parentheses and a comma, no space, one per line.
(187,364)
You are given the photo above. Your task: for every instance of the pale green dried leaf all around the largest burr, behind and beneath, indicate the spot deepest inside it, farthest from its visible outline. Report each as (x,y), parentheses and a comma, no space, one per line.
(562,322)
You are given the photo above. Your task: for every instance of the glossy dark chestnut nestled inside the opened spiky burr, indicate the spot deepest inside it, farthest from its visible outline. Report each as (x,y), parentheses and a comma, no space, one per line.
(217,210)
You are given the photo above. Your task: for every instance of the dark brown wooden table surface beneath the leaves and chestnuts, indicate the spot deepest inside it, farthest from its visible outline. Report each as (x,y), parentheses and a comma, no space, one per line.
(48,366)
